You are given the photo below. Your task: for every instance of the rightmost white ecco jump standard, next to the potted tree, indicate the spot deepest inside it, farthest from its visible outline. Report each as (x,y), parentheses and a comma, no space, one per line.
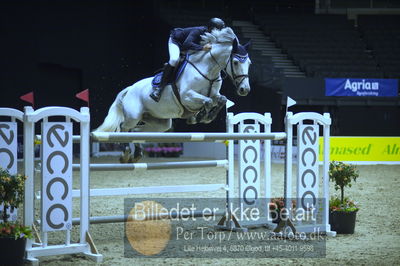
(308,191)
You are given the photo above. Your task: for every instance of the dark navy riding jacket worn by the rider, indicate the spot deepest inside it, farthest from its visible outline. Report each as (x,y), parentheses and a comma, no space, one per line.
(188,38)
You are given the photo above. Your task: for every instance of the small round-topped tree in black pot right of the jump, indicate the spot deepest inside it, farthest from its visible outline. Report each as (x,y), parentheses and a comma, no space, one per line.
(342,211)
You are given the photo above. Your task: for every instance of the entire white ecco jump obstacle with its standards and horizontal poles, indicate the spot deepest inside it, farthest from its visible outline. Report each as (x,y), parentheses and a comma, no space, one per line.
(57,167)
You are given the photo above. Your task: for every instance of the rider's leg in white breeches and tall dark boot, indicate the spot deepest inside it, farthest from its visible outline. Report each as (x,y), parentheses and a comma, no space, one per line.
(169,68)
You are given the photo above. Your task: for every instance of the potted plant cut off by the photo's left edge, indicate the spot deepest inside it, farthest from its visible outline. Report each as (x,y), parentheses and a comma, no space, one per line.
(13,235)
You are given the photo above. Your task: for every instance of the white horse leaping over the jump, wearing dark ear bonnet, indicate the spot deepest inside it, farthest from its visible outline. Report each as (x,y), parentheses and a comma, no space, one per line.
(198,99)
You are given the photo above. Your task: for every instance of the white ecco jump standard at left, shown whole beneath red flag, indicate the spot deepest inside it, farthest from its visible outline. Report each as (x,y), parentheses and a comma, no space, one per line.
(57,146)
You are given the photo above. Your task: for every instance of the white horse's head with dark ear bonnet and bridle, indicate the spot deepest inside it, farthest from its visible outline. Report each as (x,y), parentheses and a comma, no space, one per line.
(238,67)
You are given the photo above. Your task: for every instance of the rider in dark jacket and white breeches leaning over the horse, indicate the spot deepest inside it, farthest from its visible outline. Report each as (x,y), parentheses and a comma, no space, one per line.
(184,39)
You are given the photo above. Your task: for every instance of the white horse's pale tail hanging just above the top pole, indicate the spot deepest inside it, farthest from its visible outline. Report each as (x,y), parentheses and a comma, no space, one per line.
(115,116)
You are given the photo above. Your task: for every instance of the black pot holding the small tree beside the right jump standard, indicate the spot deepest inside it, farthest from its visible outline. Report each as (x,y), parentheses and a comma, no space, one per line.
(342,222)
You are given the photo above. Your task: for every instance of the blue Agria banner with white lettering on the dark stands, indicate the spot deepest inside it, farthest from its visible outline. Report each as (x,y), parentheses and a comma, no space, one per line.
(361,87)
